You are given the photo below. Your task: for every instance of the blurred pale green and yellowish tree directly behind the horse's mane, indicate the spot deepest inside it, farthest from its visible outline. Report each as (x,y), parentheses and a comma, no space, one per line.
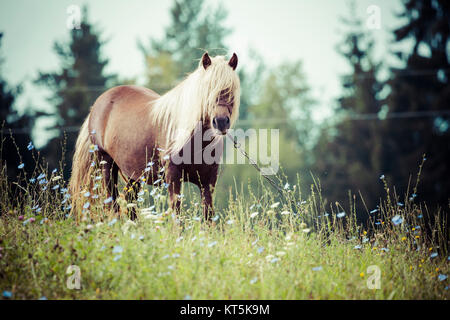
(194,28)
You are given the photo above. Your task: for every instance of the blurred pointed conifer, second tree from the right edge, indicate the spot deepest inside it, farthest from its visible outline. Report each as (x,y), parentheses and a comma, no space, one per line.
(348,156)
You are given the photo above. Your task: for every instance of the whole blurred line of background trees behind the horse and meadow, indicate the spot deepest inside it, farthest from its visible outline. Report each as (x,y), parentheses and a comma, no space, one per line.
(379,128)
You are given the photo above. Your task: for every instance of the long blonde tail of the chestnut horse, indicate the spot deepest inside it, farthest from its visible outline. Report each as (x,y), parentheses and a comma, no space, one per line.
(81,167)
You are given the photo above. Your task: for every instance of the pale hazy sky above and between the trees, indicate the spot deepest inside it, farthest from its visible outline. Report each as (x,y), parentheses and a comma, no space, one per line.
(279,31)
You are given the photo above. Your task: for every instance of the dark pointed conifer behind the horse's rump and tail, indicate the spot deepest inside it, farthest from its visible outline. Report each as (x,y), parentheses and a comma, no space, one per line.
(76,85)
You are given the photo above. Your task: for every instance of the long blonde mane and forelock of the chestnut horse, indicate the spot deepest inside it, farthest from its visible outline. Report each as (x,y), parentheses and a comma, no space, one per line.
(179,111)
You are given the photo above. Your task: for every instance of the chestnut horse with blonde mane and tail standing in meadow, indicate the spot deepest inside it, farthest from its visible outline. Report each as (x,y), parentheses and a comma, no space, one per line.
(132,129)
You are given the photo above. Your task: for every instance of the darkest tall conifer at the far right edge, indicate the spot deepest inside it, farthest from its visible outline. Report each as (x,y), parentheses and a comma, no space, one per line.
(422,89)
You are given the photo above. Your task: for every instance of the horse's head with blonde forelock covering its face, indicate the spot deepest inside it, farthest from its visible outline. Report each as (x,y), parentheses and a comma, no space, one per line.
(223,92)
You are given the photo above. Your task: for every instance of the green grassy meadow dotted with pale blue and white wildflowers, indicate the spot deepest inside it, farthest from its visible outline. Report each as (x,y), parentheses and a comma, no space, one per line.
(258,248)
